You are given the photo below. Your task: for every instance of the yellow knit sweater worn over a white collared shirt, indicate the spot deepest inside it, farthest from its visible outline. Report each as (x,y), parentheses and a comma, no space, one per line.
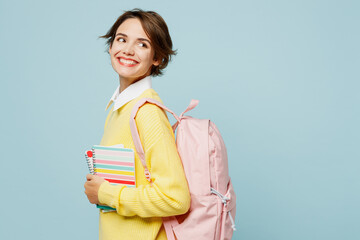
(139,210)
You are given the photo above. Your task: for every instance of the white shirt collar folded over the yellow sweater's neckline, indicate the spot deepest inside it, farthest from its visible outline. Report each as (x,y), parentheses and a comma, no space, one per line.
(131,92)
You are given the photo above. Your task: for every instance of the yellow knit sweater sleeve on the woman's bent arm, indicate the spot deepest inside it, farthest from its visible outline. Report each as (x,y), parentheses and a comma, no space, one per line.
(168,194)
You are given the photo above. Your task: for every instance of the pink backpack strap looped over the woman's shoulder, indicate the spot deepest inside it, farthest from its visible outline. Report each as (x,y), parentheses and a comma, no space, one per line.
(135,133)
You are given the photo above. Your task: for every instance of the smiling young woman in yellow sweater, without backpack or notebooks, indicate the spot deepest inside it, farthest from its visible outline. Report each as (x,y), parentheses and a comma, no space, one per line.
(140,47)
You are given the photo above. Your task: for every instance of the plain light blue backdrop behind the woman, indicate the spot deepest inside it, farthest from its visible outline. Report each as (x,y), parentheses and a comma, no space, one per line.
(279,78)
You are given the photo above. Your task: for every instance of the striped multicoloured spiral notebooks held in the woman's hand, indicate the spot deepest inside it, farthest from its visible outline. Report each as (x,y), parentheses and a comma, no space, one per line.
(115,164)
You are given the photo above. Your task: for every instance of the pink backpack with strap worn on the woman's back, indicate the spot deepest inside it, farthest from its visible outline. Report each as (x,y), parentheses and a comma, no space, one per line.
(203,154)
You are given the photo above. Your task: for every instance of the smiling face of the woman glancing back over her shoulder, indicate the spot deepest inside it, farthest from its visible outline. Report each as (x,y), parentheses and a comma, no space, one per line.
(131,53)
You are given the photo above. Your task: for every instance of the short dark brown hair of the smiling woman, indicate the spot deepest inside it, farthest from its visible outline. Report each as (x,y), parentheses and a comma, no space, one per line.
(155,28)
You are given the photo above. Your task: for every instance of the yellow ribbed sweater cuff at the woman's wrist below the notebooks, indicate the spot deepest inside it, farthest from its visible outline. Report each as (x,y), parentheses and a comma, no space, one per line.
(110,194)
